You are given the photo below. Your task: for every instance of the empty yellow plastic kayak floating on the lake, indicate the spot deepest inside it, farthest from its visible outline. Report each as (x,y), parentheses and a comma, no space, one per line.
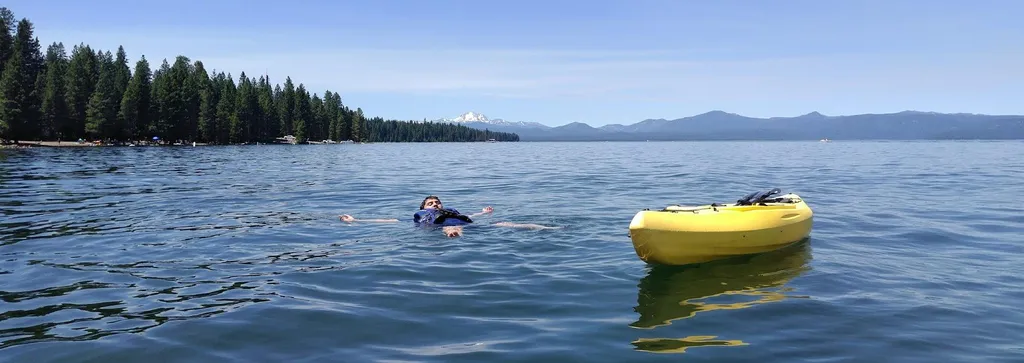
(759,223)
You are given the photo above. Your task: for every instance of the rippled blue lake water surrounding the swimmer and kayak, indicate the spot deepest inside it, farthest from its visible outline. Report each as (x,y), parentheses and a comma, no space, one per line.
(237,255)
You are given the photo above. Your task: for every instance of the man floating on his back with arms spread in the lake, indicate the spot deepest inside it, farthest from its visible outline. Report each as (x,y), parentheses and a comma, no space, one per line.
(433,214)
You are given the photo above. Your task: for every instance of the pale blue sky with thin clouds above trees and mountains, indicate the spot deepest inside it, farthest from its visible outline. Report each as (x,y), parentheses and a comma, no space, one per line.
(558,62)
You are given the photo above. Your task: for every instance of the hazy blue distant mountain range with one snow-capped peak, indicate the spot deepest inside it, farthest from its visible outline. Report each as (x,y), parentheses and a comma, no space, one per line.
(719,126)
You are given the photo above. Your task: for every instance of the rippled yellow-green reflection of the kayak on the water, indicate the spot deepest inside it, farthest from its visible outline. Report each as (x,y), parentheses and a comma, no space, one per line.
(671,294)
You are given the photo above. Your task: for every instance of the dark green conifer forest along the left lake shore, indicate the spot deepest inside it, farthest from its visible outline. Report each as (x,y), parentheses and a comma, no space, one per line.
(93,95)
